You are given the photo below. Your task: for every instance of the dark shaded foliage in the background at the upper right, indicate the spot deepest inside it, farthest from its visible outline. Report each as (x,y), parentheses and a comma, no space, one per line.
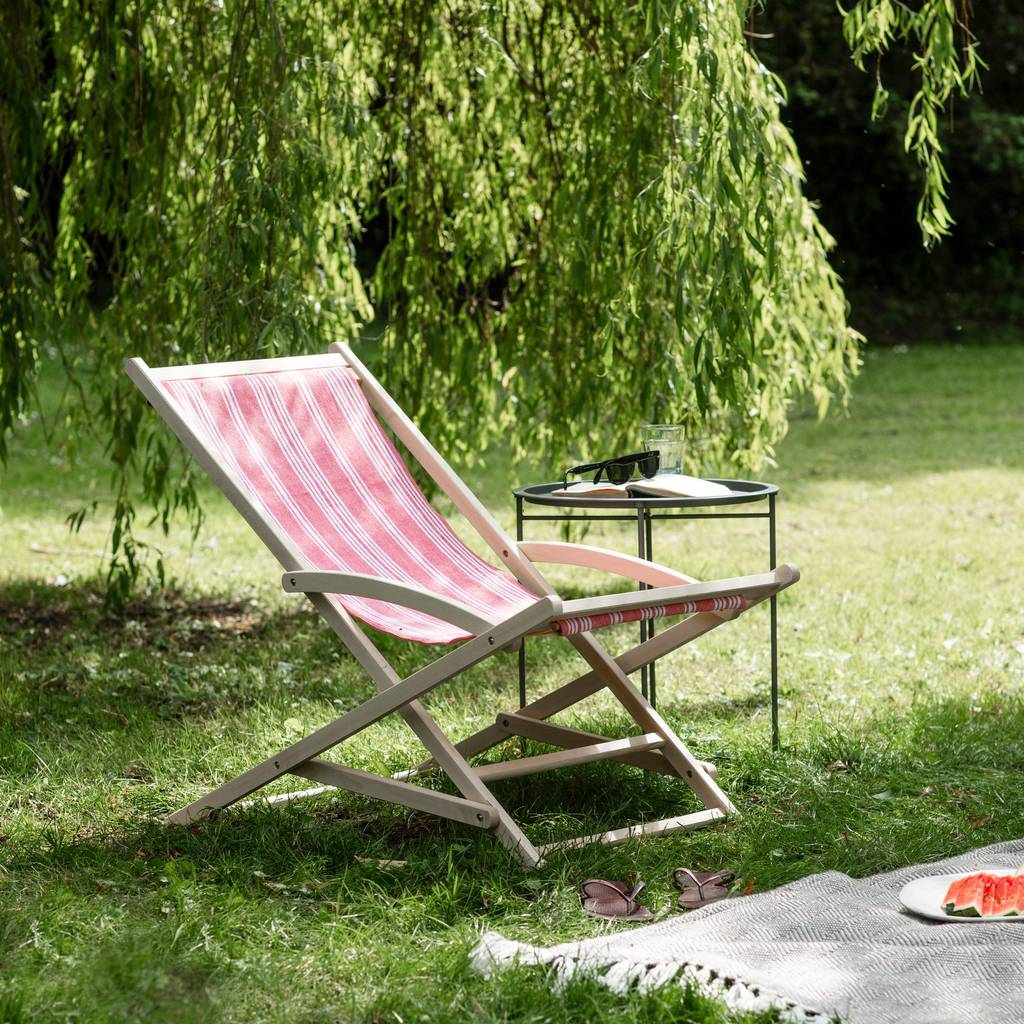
(899,289)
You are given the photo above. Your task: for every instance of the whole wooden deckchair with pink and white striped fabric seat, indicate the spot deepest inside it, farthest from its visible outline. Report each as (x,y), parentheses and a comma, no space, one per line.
(297,445)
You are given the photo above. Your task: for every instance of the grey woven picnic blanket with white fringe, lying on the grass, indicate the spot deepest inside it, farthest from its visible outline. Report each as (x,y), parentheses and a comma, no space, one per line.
(825,947)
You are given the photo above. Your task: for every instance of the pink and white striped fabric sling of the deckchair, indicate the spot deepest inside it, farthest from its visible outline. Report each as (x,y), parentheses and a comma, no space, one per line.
(309,450)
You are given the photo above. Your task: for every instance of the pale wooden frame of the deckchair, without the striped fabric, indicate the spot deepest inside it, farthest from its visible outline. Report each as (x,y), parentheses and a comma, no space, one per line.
(658,749)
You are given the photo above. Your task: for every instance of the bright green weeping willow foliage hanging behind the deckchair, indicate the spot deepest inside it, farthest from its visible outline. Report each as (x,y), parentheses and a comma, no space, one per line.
(591,215)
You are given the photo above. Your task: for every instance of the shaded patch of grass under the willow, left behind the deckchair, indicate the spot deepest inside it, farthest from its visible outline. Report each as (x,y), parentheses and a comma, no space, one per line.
(177,656)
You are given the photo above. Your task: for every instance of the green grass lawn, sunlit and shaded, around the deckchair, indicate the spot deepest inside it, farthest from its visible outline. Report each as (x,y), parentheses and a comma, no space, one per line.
(903,670)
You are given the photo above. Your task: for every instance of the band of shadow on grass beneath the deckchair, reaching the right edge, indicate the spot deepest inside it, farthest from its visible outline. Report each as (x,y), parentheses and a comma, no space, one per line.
(928,783)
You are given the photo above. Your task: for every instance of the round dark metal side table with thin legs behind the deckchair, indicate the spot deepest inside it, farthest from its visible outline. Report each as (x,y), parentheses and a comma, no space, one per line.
(644,513)
